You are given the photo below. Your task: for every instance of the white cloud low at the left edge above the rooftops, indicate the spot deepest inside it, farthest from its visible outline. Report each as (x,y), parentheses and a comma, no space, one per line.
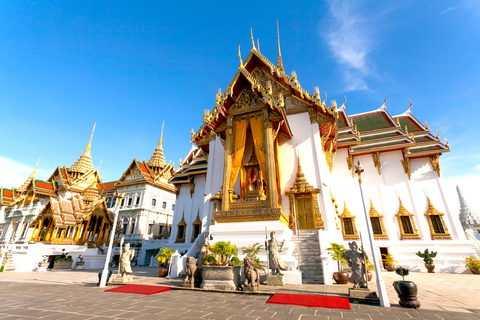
(14,174)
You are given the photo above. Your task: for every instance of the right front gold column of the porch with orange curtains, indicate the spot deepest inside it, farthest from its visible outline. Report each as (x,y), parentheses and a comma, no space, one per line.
(270,161)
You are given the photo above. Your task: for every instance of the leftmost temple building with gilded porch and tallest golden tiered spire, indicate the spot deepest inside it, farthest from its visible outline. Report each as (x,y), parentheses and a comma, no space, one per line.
(66,212)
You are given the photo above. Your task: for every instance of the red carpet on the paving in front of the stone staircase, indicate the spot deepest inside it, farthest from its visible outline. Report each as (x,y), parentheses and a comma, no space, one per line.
(307,300)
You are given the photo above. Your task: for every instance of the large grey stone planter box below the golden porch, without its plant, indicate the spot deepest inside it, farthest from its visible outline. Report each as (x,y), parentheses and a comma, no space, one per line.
(225,278)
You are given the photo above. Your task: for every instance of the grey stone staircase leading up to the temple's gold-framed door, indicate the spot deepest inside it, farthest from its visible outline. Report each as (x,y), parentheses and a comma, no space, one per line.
(309,261)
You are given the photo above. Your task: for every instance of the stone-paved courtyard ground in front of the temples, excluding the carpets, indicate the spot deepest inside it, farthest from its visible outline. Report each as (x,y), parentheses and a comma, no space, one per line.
(32,295)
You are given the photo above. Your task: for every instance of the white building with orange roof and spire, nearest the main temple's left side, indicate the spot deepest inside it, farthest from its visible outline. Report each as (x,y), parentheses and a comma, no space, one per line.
(146,211)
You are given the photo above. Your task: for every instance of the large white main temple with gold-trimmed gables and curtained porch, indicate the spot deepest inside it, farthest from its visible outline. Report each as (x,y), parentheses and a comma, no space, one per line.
(271,156)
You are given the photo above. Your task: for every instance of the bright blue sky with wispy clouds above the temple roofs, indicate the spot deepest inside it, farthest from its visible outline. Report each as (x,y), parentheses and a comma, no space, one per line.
(130,65)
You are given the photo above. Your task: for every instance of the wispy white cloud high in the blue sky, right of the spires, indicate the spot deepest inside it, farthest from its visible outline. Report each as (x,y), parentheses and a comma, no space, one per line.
(348,39)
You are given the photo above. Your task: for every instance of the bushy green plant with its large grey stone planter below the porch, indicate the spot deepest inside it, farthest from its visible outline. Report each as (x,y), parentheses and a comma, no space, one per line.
(221,268)
